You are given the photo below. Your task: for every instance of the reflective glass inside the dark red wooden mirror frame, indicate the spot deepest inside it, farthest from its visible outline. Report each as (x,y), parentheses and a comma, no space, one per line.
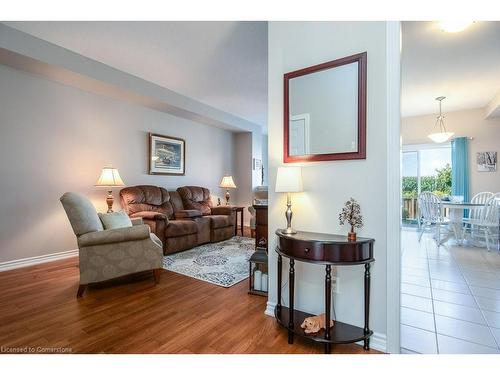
(324,111)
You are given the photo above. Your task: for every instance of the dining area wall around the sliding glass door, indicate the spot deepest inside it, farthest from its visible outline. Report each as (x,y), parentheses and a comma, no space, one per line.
(467,123)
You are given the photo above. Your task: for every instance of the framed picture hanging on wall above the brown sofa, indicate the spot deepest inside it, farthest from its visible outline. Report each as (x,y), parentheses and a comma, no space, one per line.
(167,155)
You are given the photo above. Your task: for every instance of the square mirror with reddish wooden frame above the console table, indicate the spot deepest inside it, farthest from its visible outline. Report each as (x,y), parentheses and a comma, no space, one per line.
(325,111)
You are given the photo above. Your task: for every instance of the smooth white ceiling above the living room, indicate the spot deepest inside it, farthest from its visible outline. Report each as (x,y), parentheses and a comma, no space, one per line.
(222,64)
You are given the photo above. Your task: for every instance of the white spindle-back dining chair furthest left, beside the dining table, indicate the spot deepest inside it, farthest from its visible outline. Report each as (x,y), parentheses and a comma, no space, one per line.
(431,214)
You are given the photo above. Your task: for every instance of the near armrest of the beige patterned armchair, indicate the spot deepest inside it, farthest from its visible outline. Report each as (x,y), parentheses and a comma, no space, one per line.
(104,237)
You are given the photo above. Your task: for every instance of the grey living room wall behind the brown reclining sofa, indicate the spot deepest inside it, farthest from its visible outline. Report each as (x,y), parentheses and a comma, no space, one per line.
(54,138)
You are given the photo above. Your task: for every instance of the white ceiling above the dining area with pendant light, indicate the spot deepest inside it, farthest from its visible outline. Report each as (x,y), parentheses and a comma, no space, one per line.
(464,67)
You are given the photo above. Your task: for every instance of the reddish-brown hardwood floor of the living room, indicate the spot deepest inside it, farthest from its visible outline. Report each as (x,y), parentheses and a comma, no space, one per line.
(39,309)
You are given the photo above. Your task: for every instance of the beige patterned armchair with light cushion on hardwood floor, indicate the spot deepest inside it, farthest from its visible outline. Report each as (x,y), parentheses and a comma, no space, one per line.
(107,254)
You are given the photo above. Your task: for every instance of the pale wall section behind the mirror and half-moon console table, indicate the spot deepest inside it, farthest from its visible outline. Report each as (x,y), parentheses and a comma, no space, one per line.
(327,185)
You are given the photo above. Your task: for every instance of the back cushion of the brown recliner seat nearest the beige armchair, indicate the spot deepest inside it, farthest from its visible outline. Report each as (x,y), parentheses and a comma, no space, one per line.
(146,198)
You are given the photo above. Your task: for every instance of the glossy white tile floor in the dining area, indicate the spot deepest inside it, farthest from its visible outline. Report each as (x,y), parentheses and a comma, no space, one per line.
(450,297)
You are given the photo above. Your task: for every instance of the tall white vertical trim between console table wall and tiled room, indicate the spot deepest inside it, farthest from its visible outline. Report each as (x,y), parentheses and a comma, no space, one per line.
(393,56)
